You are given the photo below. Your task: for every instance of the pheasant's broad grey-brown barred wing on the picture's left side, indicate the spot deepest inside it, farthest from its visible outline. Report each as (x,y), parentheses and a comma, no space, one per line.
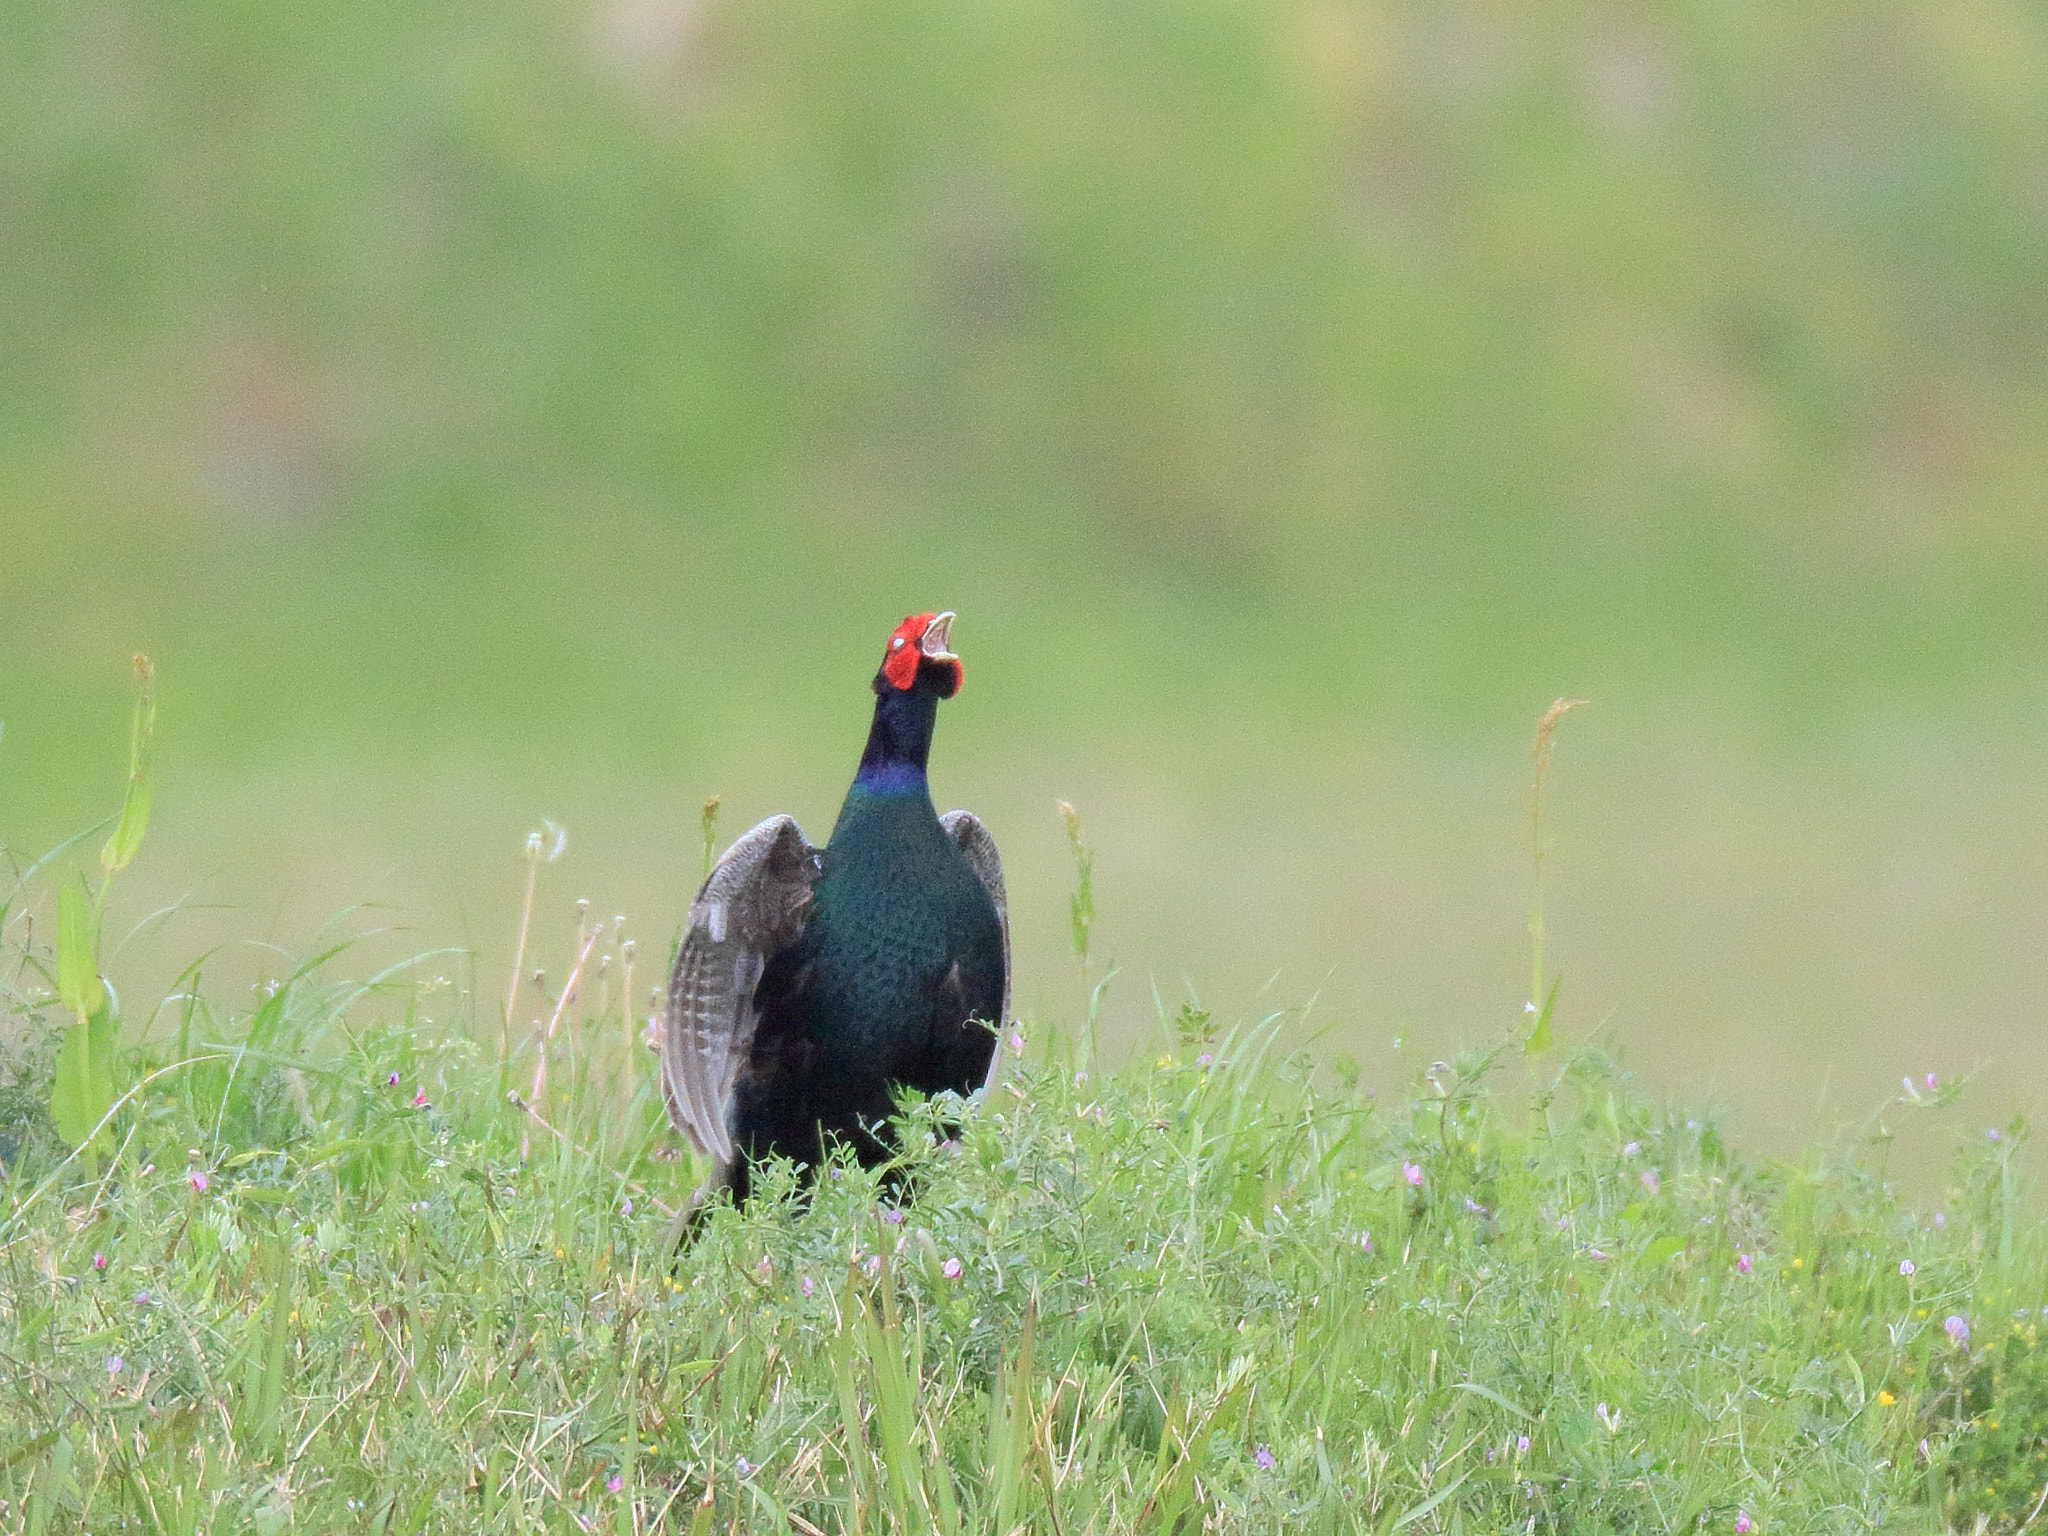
(755,904)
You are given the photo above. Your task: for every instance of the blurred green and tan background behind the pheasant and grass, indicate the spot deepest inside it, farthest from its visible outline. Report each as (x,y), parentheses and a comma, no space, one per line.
(548,409)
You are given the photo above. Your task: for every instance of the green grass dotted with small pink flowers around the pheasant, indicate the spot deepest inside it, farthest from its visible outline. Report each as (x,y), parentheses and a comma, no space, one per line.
(1211,1289)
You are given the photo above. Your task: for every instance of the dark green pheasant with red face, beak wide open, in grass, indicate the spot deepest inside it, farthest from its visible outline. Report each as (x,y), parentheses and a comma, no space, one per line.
(816,984)
